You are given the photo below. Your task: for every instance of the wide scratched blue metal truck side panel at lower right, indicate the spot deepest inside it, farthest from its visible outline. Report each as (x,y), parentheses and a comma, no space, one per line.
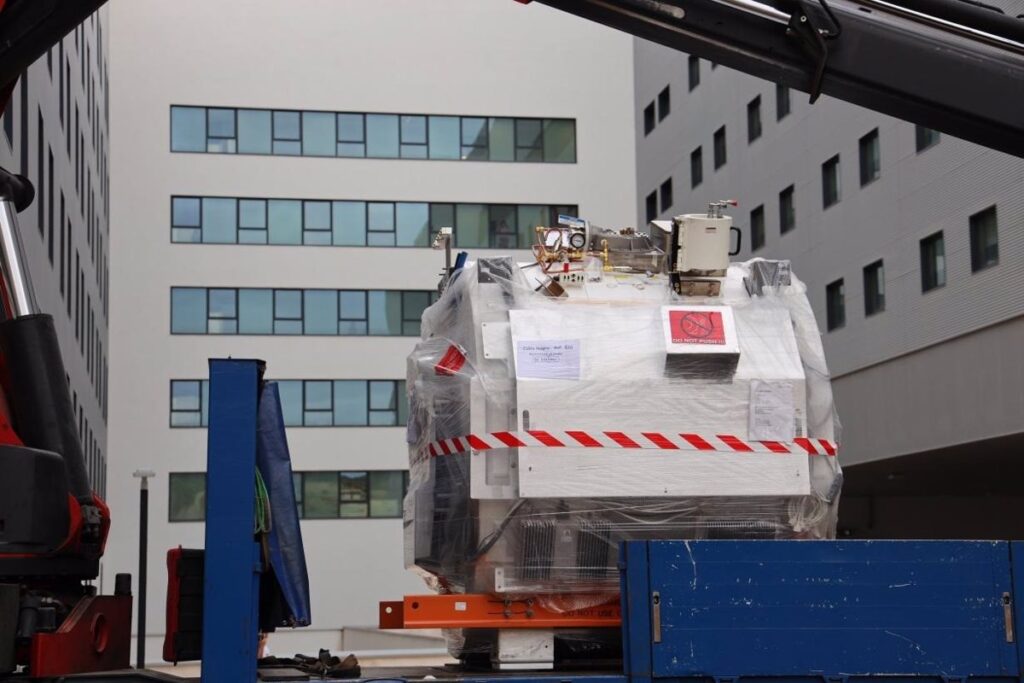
(834,609)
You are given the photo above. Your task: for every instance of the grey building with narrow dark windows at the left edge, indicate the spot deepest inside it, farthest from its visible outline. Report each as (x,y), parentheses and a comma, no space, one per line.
(56,133)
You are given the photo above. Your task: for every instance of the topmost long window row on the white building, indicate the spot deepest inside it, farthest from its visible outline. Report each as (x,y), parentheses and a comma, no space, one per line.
(224,131)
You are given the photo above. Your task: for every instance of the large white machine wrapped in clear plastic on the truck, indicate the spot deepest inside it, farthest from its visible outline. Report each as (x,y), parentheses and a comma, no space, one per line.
(622,387)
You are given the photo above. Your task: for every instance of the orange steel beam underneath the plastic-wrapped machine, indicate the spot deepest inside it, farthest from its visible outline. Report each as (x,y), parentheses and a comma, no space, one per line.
(493,612)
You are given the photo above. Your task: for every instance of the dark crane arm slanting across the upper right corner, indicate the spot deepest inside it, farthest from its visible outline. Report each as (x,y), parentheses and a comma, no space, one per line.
(948,65)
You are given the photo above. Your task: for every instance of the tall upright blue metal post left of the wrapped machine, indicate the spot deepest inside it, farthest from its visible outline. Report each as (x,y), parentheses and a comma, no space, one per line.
(231,591)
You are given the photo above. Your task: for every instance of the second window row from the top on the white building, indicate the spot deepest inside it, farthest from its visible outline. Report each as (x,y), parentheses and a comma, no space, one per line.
(354,224)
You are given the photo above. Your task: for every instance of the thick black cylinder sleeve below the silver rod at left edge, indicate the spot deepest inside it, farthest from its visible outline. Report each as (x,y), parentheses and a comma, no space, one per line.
(39,398)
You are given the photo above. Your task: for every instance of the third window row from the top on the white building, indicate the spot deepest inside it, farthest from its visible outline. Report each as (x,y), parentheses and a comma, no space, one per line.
(265,312)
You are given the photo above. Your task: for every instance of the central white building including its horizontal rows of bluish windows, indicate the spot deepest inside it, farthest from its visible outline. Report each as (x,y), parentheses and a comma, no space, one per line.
(278,178)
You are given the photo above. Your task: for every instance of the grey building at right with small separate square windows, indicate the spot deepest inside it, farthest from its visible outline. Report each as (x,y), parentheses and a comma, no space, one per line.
(912,246)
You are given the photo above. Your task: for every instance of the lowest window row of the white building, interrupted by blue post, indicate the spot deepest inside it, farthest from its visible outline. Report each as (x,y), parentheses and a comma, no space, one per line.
(330,495)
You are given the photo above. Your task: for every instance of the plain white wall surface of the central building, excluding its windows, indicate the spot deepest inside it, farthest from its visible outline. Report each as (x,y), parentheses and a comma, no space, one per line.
(465,58)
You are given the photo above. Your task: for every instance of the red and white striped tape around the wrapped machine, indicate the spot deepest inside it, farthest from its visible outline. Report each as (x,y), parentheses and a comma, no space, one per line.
(536,439)
